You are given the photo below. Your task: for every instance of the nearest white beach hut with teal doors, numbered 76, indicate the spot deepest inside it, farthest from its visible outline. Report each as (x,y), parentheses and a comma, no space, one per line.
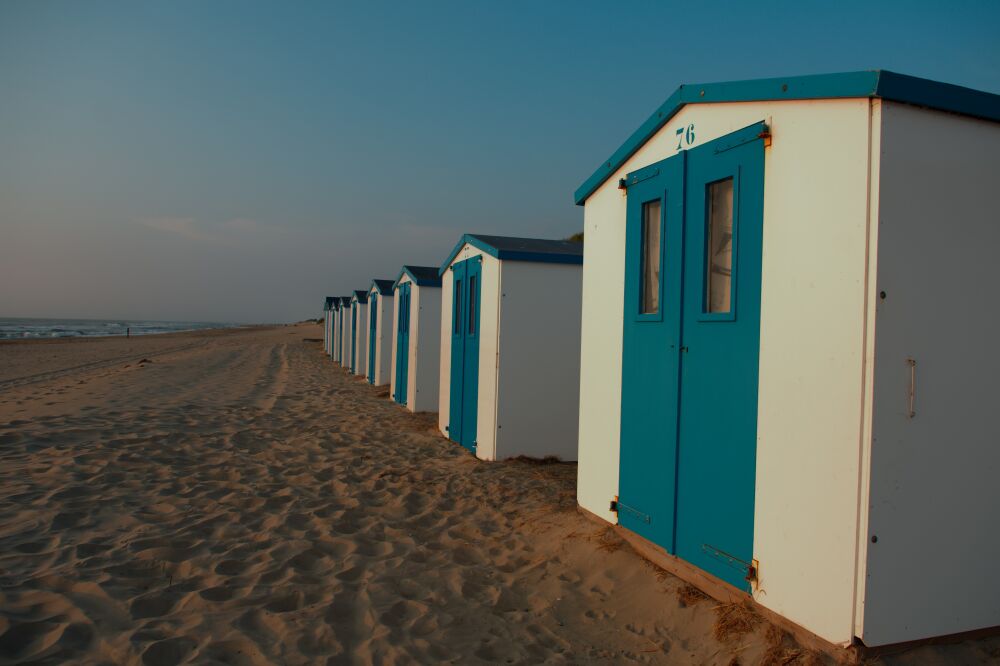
(788,378)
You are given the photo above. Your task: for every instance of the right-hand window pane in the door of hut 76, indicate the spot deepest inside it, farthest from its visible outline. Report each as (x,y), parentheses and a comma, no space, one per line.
(719,263)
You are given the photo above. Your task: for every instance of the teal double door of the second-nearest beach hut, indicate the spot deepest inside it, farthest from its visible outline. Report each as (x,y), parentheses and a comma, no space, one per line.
(464,398)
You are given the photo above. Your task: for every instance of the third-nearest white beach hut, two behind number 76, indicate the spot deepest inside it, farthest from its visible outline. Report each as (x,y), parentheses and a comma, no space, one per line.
(416,343)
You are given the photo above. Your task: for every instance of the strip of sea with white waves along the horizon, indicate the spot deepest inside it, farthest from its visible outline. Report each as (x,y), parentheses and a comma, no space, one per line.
(13,328)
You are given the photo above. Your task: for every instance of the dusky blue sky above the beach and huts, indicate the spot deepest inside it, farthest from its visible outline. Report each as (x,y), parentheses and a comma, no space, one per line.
(239,161)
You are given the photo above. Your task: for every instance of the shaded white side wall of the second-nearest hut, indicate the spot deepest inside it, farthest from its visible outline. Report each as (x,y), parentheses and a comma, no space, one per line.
(539,362)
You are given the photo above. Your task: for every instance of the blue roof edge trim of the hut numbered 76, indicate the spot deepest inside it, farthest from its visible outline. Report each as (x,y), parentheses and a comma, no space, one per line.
(876,83)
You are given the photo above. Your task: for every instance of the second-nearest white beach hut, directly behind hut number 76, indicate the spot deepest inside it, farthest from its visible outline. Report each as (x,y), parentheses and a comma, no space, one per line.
(510,346)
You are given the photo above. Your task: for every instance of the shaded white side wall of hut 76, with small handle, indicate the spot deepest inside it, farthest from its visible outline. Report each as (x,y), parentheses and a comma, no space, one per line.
(934,485)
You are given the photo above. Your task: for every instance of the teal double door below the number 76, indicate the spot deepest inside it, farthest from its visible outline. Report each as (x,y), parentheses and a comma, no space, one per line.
(691,343)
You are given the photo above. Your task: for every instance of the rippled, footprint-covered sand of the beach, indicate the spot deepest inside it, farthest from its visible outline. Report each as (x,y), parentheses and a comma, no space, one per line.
(235,497)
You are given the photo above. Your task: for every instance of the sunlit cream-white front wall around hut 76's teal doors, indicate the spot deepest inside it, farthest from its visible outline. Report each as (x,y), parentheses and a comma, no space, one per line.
(812,347)
